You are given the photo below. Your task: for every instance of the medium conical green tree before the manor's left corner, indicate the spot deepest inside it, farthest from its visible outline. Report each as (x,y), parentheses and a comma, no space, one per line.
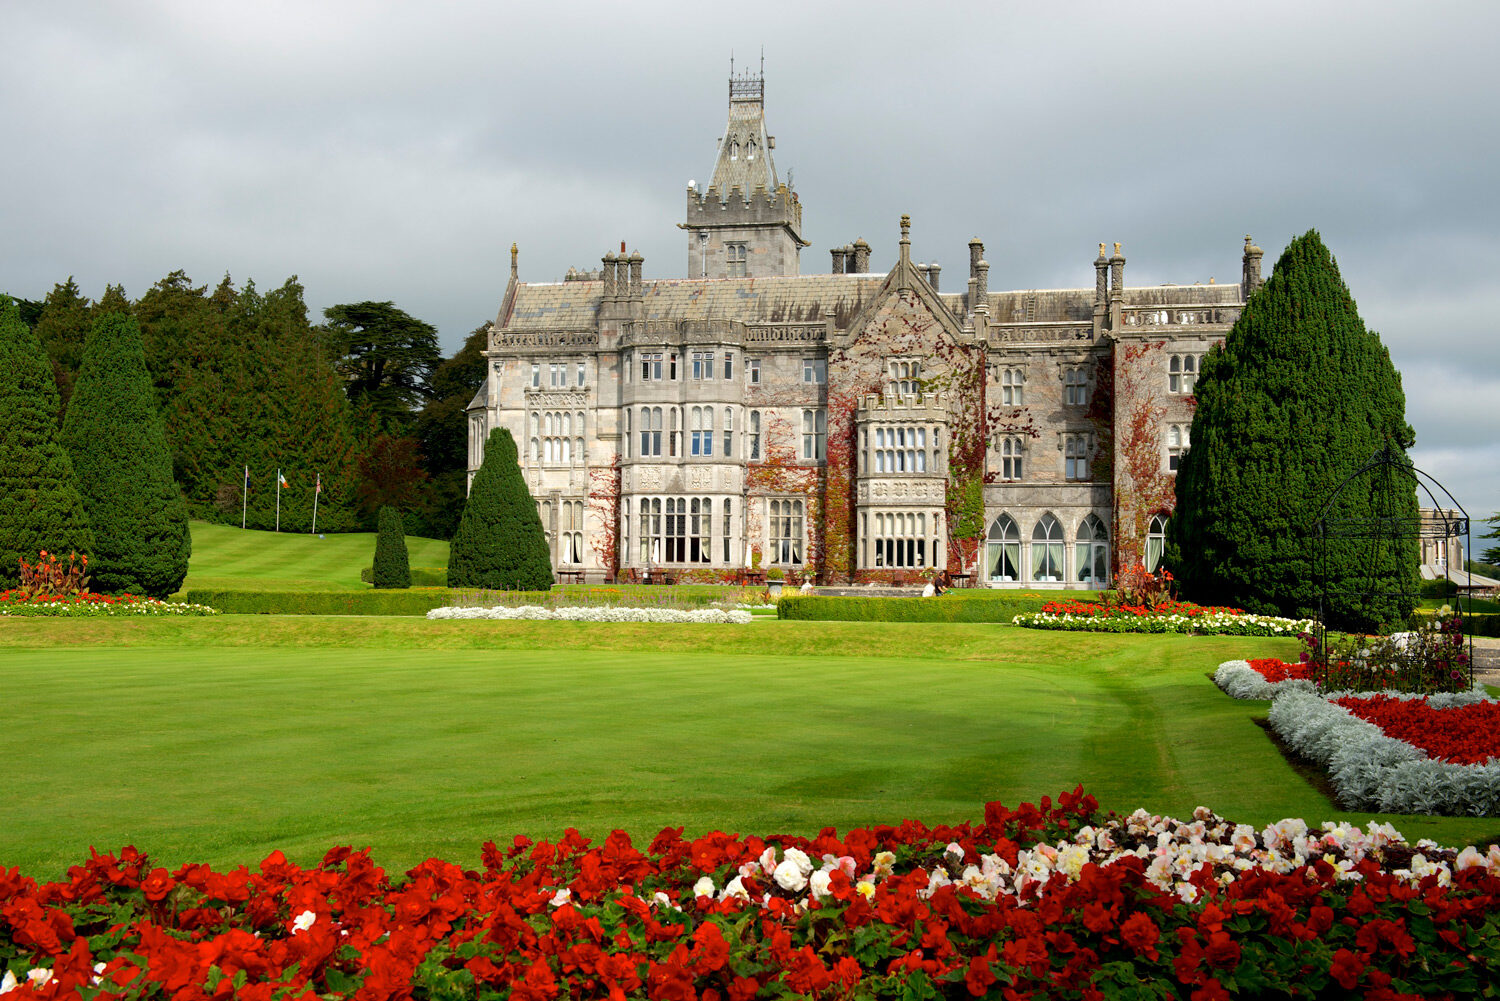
(500,543)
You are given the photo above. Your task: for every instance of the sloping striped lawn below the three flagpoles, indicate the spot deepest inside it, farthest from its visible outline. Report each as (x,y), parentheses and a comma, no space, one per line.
(235,559)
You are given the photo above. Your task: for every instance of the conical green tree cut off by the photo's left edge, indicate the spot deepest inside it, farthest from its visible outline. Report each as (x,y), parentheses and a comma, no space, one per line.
(40,504)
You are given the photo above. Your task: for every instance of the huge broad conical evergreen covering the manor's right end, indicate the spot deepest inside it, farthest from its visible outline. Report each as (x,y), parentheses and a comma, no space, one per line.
(1297,401)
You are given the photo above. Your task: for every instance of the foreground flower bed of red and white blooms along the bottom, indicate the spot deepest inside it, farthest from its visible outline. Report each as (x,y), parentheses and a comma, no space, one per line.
(1034,903)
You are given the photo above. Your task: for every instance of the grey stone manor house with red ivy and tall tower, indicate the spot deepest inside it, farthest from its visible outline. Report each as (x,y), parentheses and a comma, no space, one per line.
(847,425)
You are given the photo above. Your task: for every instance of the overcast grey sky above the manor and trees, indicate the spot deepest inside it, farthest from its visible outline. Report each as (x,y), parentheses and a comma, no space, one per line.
(395,151)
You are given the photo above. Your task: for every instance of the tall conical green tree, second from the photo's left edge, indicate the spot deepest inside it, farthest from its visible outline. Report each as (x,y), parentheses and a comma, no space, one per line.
(125,473)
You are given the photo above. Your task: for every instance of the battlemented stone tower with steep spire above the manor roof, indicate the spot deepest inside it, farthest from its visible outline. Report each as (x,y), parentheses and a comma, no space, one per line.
(748,224)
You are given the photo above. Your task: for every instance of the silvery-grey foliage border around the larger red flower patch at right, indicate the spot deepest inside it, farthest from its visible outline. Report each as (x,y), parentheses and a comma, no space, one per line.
(1370,769)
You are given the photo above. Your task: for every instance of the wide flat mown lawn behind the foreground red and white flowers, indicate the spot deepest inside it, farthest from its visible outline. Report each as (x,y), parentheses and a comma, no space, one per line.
(221,741)
